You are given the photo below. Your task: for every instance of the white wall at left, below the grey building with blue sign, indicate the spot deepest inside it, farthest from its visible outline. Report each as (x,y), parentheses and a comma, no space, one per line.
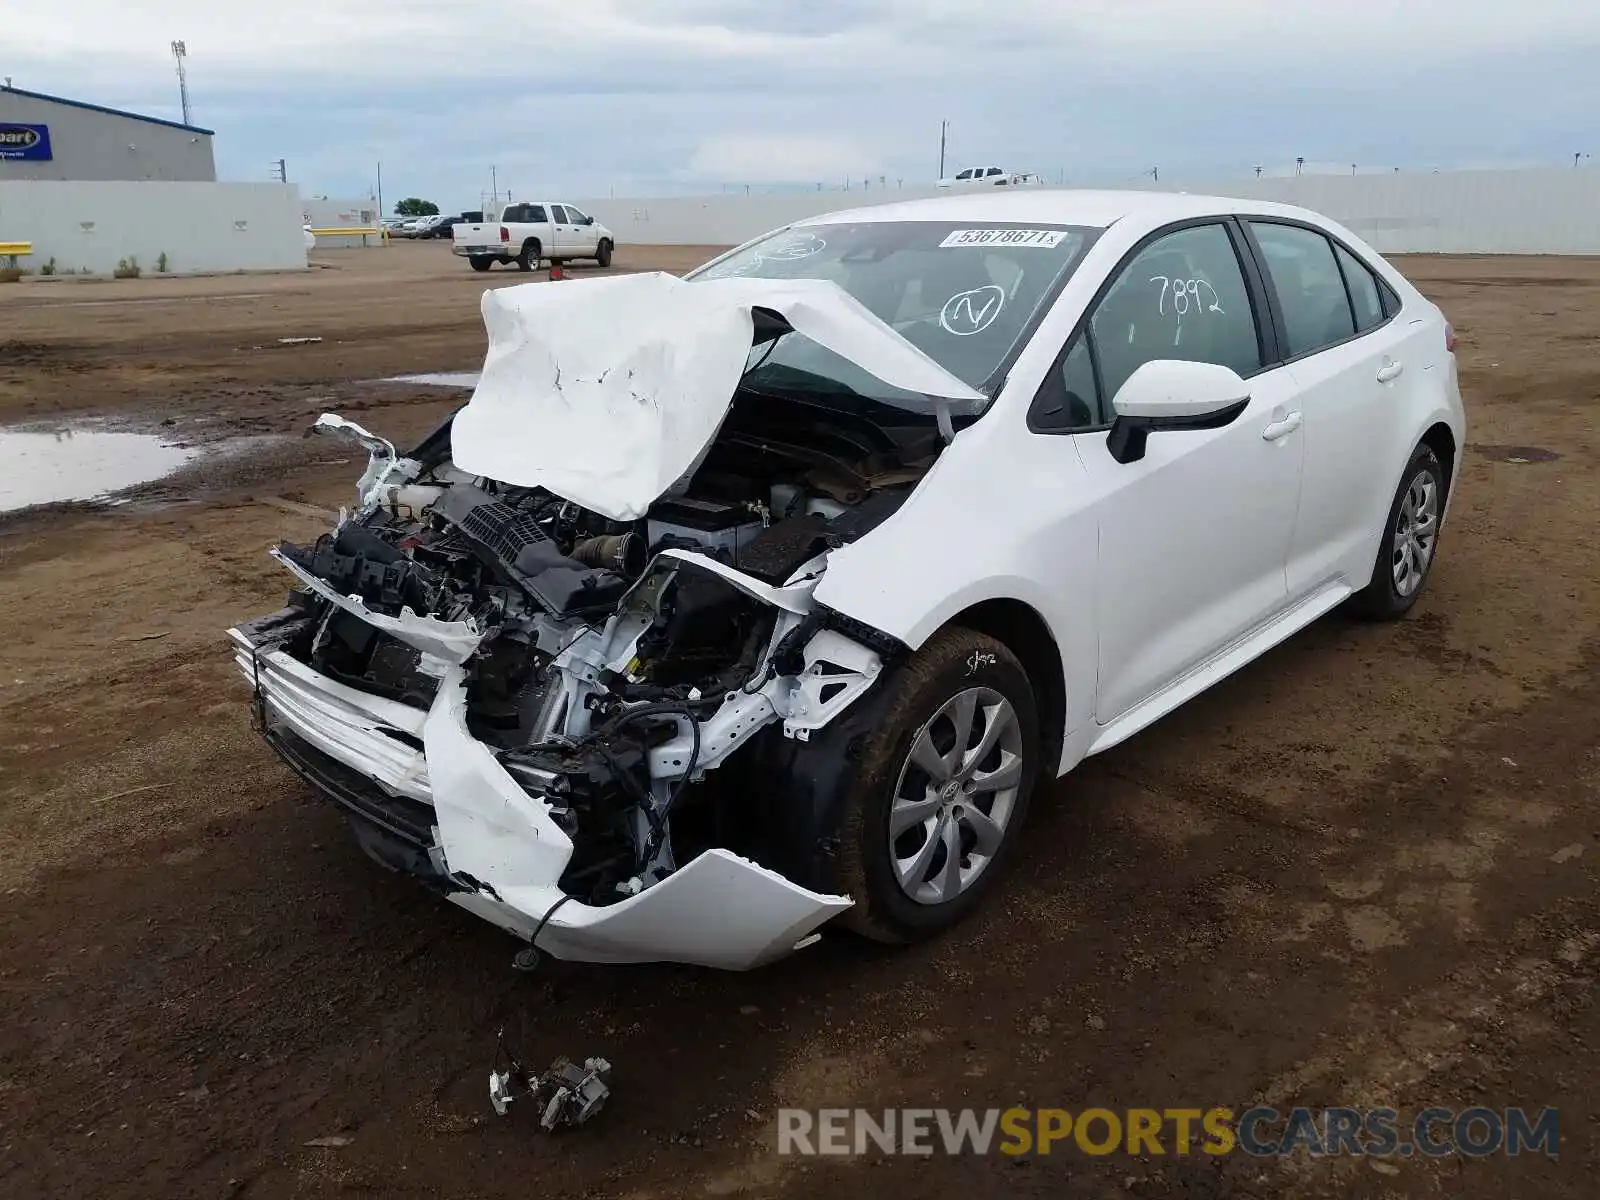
(199,226)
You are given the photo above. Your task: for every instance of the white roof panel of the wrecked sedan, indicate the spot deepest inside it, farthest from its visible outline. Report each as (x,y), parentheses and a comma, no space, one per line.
(1060,207)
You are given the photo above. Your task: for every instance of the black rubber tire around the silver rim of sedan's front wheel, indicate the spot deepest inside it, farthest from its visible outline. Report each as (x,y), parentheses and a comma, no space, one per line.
(951,663)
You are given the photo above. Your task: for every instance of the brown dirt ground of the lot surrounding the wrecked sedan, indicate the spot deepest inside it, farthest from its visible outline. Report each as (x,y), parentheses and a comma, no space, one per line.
(1359,873)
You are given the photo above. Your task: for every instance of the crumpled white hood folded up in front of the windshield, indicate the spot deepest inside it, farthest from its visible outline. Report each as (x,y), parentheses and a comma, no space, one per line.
(607,391)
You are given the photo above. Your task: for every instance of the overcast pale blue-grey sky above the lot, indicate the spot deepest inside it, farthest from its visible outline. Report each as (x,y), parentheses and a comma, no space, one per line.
(657,97)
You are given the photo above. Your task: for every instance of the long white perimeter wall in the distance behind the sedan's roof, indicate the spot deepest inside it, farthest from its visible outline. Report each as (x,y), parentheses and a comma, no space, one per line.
(1452,212)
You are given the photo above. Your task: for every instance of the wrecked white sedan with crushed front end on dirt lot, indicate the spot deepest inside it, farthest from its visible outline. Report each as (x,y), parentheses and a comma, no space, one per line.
(735,606)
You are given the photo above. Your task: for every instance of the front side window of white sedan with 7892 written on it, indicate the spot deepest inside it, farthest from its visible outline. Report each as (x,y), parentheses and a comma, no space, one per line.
(1183,297)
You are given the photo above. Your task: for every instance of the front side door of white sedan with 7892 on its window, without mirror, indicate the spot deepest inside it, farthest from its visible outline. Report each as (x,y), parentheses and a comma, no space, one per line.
(1193,537)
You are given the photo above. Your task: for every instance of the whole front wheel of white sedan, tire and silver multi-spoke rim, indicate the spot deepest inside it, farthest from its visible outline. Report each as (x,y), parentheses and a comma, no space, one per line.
(942,791)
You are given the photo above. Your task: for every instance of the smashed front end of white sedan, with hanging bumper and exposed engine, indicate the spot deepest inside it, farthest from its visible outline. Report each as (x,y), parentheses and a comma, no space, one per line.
(583,727)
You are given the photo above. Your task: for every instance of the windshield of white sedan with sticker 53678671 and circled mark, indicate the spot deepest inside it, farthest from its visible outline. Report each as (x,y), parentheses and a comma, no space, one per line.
(964,294)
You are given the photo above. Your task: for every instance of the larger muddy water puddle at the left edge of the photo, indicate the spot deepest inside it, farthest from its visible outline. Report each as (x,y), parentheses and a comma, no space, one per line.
(79,465)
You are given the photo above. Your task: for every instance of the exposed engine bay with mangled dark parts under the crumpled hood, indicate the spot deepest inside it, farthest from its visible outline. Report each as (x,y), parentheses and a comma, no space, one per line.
(612,666)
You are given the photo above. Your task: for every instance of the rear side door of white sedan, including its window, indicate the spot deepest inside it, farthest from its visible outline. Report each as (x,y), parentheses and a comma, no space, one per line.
(1348,364)
